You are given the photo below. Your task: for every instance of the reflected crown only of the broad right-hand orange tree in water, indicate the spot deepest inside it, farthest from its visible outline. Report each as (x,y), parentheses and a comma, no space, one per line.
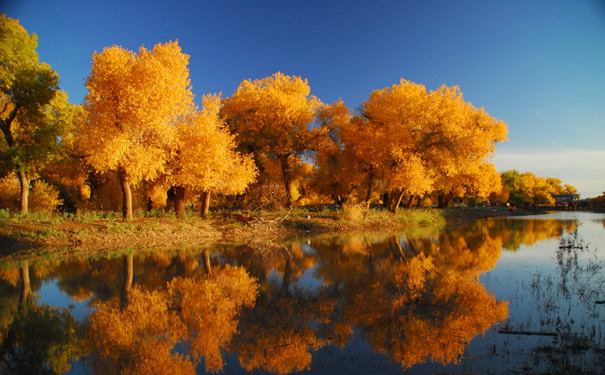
(427,311)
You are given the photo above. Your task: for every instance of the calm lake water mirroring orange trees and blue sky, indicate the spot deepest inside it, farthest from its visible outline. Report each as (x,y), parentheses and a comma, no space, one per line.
(496,296)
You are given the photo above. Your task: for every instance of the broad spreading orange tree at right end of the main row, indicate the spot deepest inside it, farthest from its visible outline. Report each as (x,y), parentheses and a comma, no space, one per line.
(423,140)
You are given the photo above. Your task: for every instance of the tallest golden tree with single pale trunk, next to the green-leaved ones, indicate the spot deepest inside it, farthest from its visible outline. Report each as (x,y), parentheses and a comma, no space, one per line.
(134,104)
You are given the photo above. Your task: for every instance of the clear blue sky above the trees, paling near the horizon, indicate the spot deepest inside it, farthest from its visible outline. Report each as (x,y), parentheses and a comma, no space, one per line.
(537,65)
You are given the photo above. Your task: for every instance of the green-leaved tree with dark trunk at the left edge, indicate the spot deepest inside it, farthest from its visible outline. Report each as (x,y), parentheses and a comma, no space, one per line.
(26,86)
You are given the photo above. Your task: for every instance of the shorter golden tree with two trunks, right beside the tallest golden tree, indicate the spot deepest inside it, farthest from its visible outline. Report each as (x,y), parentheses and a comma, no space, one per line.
(205,159)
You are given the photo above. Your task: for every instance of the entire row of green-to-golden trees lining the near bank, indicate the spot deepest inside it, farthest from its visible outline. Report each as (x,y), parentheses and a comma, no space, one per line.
(271,141)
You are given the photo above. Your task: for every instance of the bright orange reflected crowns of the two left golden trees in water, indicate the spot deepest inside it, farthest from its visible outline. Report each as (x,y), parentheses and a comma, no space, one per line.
(200,313)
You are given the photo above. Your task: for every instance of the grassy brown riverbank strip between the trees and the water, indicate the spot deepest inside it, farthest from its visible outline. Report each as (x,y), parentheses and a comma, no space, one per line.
(101,232)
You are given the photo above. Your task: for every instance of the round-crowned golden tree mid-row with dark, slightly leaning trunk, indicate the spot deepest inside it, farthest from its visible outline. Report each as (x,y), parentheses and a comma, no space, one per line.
(271,118)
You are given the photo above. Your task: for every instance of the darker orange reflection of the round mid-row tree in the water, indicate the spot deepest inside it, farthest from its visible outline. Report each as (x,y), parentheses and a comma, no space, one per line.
(277,336)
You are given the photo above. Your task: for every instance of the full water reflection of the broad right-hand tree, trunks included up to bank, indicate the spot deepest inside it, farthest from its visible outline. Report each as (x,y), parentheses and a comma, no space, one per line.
(415,298)
